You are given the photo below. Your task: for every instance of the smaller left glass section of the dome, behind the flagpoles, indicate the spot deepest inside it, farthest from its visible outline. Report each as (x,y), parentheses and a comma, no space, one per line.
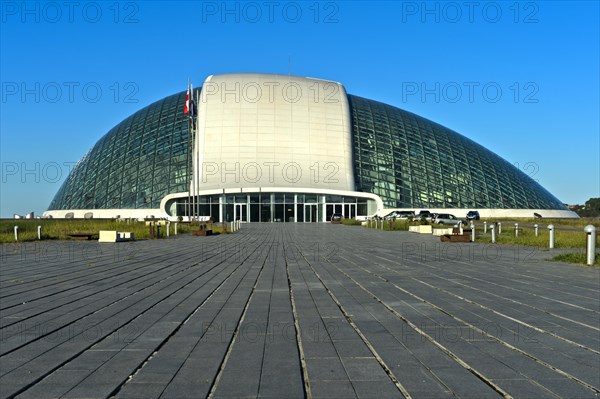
(135,164)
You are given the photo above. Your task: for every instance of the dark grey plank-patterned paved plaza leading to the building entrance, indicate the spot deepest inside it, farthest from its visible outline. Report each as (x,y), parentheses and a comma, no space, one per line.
(273,311)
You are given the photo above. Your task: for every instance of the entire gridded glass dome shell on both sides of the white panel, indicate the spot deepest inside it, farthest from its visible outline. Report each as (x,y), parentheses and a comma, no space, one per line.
(409,161)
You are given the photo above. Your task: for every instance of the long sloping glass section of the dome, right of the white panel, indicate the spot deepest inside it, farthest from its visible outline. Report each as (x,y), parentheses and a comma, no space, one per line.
(411,162)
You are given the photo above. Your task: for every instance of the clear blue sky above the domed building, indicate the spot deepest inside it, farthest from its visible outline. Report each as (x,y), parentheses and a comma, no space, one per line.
(521,78)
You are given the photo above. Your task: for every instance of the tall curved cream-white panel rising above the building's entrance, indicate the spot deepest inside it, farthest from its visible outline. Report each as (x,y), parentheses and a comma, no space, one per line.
(260,130)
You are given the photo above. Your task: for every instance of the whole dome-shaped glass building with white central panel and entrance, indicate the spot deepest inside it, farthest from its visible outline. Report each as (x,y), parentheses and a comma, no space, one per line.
(283,148)
